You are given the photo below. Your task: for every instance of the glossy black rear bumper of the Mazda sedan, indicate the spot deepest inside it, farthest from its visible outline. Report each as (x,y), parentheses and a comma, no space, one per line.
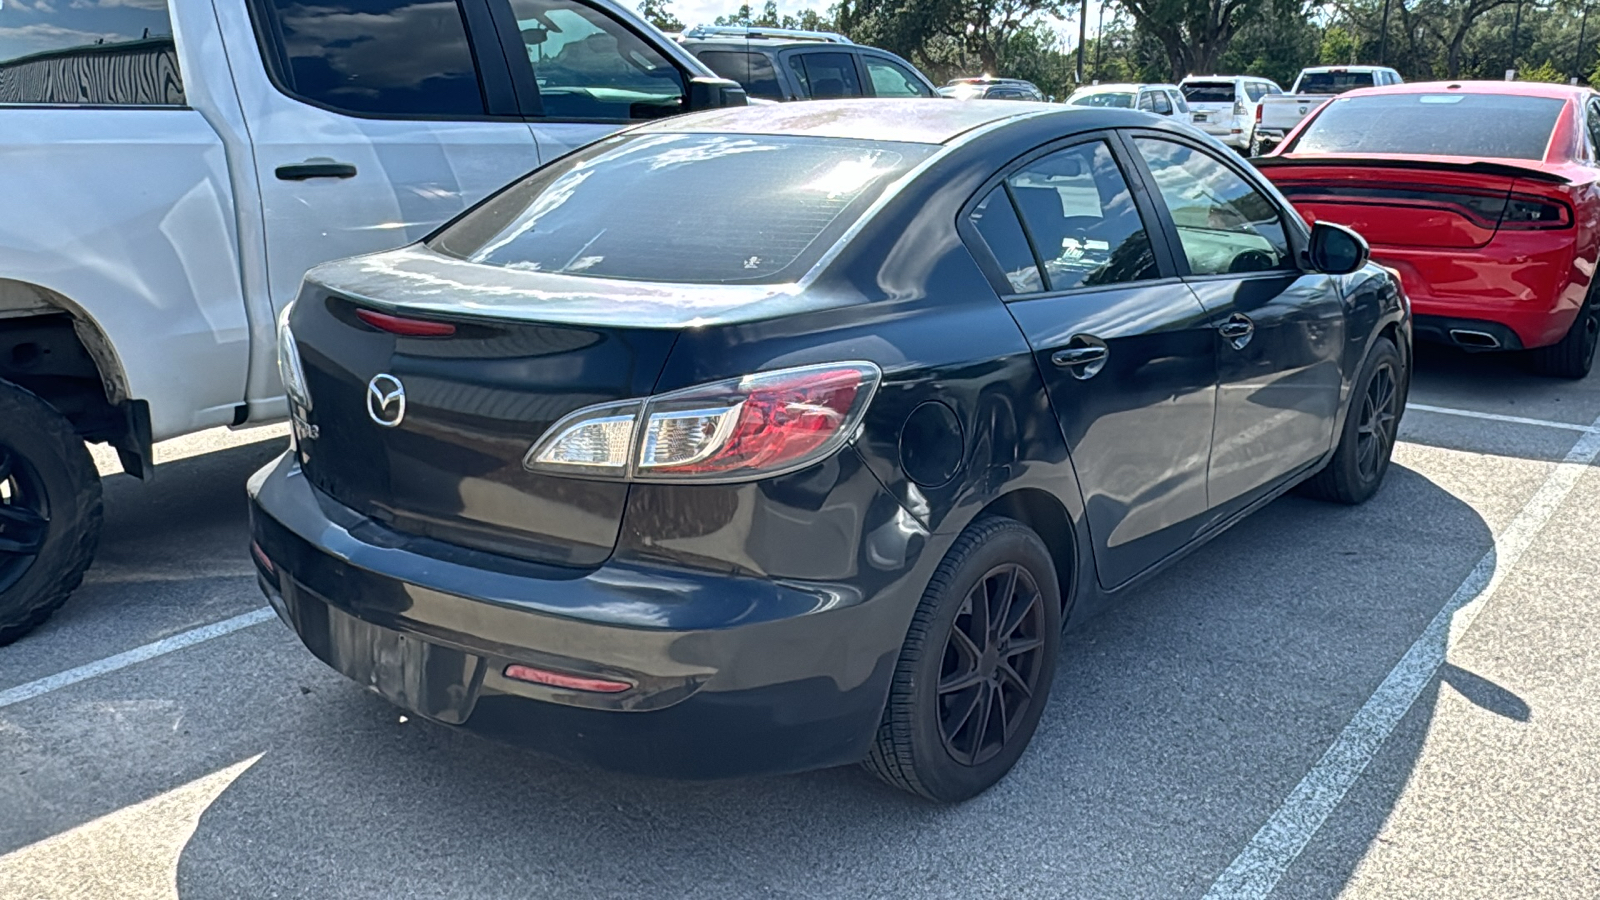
(753,677)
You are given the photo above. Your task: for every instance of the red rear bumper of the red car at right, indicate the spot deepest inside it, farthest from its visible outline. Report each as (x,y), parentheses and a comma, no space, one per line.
(1526,283)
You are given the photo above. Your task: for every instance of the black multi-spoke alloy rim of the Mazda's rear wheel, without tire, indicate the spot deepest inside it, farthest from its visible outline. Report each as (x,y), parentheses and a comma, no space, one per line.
(991,667)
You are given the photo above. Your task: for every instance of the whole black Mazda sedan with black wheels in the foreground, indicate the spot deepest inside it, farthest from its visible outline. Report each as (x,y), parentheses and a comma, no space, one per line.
(793,436)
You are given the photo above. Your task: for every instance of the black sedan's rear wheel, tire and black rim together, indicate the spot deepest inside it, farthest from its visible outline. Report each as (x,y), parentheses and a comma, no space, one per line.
(943,736)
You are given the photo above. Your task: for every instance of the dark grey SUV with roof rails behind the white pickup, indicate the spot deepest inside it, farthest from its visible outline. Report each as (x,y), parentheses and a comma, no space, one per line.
(785,65)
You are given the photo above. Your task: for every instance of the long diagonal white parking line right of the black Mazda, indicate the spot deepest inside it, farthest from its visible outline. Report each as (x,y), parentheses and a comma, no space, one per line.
(1270,854)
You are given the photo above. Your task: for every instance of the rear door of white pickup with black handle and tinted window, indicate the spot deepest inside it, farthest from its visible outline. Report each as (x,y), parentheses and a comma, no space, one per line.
(372,121)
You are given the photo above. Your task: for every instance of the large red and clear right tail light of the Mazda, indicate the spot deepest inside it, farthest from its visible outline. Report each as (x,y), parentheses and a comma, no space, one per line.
(740,430)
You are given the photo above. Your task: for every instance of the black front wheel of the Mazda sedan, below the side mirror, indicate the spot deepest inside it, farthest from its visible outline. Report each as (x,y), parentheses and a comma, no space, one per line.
(1370,427)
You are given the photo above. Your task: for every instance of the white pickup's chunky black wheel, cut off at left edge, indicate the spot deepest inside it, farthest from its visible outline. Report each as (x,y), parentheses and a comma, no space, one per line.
(50,512)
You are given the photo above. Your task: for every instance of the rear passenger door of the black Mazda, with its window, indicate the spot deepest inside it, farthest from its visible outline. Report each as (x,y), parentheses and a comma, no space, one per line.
(1124,348)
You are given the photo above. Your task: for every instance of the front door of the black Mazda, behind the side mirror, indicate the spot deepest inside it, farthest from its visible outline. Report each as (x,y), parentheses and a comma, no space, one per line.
(1279,331)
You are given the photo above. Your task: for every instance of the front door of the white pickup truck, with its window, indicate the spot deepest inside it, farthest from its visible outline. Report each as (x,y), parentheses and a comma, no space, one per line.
(590,73)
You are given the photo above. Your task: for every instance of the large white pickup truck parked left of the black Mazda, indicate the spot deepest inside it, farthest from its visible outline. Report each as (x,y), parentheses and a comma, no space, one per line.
(174,167)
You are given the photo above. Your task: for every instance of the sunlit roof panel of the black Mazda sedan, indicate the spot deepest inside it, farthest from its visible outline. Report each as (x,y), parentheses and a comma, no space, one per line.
(911,121)
